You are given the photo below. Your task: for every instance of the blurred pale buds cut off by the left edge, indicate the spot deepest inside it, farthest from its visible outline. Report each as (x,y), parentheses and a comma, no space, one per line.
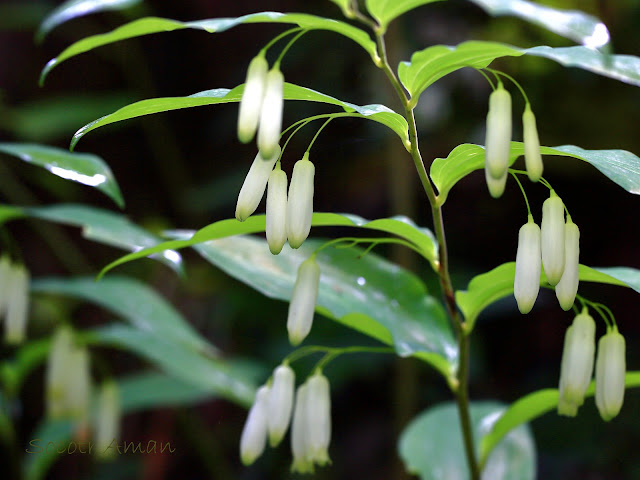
(14,300)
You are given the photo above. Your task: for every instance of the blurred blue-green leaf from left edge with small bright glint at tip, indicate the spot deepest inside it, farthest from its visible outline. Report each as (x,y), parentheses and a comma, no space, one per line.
(99,225)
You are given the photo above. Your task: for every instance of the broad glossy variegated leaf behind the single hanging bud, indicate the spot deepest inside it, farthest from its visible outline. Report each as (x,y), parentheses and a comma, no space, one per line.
(368,294)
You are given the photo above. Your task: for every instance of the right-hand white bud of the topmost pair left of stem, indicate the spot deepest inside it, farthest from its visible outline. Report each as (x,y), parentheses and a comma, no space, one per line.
(271,114)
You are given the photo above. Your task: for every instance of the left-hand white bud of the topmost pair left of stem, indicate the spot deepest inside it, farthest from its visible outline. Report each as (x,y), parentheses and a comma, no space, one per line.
(252,96)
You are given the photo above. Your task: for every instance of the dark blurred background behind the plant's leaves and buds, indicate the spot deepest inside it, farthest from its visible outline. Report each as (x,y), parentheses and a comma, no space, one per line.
(183,170)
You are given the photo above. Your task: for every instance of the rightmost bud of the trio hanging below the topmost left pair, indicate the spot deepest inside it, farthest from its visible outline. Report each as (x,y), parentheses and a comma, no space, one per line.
(300,202)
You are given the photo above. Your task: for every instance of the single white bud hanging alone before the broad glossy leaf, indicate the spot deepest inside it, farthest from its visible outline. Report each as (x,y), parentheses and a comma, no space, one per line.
(303,300)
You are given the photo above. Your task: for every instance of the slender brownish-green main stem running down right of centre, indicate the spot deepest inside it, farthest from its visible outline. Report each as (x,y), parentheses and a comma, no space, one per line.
(460,387)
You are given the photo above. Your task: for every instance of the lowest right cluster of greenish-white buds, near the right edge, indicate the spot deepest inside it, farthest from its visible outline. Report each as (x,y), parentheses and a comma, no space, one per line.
(577,368)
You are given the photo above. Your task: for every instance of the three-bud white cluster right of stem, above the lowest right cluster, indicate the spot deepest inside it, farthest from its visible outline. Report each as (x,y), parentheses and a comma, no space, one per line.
(556,247)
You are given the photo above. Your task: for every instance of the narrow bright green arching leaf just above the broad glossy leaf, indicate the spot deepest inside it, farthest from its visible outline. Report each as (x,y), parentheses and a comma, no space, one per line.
(421,237)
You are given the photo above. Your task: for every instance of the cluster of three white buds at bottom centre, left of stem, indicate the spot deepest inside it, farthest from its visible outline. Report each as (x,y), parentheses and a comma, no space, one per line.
(271,414)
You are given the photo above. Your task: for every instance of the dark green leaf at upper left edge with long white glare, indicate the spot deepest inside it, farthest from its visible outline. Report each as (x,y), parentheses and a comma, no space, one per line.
(83,168)
